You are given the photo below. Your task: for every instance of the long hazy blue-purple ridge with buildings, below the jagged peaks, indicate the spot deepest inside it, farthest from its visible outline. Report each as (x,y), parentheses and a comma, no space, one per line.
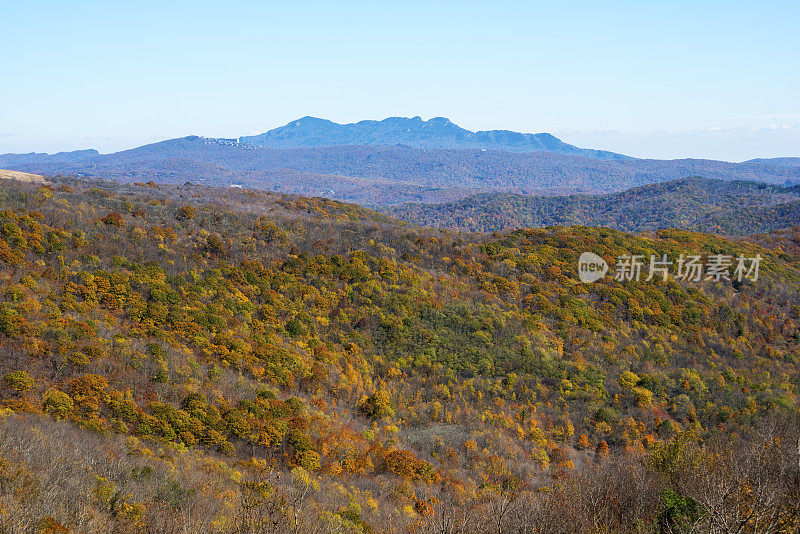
(387,175)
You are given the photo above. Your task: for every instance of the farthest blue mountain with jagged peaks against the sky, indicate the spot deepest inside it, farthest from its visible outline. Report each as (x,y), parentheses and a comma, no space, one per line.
(435,133)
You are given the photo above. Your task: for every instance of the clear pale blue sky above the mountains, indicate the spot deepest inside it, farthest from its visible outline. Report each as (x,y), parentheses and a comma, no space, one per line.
(651,79)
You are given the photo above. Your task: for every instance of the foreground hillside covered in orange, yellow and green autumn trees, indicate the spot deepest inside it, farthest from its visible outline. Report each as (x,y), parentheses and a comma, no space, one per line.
(189,359)
